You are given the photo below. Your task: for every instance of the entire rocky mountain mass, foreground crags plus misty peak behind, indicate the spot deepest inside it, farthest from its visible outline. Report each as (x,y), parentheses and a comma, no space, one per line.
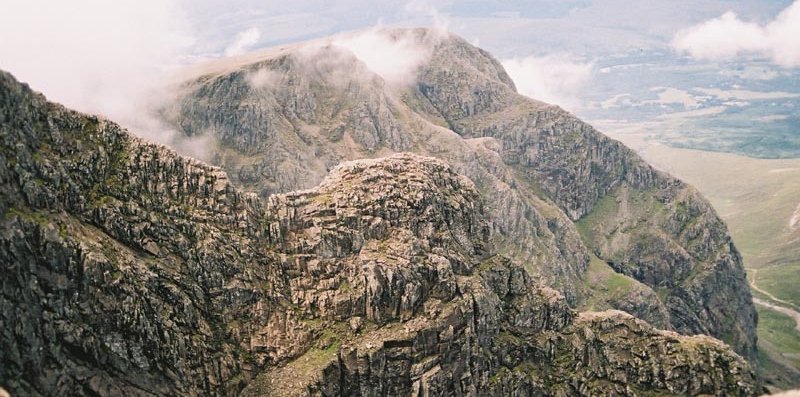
(131,270)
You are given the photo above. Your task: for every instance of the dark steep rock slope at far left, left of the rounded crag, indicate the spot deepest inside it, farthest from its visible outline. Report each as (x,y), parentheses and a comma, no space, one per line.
(124,265)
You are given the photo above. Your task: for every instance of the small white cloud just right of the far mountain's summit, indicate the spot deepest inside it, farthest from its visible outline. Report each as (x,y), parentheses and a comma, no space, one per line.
(557,79)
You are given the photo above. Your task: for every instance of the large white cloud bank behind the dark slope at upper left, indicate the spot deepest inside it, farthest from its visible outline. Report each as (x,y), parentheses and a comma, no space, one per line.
(104,57)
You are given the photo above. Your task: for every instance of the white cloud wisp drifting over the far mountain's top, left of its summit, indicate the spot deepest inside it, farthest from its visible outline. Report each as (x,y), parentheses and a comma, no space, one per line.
(395,55)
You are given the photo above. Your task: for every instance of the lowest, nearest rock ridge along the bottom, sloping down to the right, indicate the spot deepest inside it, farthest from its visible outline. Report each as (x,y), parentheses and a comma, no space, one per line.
(505,337)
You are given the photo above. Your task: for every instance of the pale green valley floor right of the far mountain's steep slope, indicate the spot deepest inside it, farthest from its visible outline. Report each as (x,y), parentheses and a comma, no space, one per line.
(757,199)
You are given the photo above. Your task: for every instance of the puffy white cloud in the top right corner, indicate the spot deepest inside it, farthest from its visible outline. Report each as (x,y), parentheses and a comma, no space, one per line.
(728,37)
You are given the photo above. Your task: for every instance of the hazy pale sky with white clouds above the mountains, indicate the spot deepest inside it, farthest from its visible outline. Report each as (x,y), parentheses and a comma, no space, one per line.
(109,57)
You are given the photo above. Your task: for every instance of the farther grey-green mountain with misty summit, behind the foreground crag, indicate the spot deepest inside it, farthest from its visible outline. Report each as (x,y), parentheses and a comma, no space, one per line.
(285,117)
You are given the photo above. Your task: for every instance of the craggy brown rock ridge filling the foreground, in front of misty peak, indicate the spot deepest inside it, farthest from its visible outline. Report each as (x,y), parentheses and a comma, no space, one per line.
(131,270)
